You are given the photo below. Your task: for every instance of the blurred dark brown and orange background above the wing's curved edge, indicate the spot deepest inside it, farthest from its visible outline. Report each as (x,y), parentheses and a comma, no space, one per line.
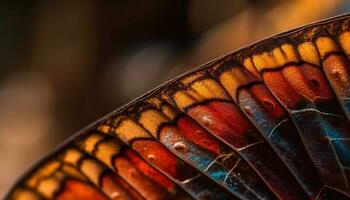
(64,64)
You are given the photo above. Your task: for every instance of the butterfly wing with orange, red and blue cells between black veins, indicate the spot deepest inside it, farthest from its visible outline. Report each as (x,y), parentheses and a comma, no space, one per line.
(269,121)
